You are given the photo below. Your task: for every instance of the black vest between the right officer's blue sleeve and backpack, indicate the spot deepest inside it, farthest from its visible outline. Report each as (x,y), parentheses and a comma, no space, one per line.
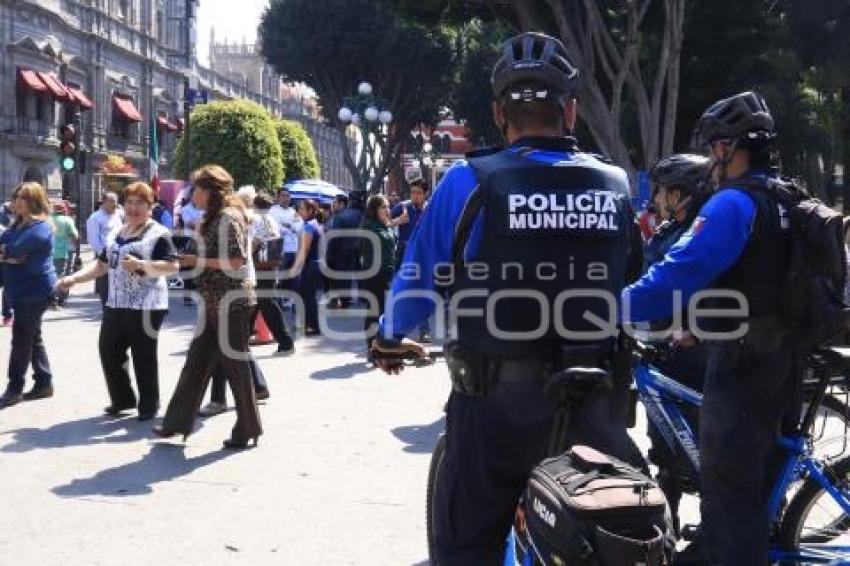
(763,267)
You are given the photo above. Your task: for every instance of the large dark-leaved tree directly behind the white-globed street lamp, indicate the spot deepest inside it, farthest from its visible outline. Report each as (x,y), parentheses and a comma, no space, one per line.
(335,44)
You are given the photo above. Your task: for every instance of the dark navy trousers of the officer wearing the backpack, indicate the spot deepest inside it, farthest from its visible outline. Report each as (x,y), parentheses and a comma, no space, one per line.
(749,397)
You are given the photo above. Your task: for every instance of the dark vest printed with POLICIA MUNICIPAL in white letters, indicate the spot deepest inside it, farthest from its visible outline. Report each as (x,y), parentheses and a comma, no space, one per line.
(553,236)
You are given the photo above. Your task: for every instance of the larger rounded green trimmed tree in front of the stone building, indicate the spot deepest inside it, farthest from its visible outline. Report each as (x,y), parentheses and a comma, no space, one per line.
(238,135)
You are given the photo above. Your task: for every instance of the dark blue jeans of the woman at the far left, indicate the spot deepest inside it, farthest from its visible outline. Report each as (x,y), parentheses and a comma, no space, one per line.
(28,346)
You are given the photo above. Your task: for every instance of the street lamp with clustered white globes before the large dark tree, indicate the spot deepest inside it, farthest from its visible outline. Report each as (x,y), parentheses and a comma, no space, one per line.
(369,113)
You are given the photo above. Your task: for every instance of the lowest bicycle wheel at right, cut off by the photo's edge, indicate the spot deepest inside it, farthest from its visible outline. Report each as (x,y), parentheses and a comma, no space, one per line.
(814,517)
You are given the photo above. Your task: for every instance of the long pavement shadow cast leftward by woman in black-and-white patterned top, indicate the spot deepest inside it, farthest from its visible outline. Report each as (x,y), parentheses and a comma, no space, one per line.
(91,430)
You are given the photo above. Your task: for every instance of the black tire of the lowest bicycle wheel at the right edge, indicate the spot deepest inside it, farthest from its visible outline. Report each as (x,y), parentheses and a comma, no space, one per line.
(793,521)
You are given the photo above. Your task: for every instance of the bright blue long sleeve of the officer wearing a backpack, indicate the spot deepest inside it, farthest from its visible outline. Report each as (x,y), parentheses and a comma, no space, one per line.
(715,241)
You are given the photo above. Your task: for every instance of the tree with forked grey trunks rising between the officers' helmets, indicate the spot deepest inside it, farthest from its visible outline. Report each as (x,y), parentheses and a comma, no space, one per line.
(627,52)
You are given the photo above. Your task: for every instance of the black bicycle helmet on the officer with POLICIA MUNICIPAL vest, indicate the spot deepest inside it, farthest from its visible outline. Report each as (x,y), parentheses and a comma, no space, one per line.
(534,58)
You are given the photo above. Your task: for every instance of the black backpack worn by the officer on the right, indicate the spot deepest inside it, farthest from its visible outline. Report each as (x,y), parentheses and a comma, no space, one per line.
(813,307)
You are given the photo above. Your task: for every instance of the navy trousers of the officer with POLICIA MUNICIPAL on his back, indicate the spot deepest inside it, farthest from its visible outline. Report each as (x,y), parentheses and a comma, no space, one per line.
(492,444)
